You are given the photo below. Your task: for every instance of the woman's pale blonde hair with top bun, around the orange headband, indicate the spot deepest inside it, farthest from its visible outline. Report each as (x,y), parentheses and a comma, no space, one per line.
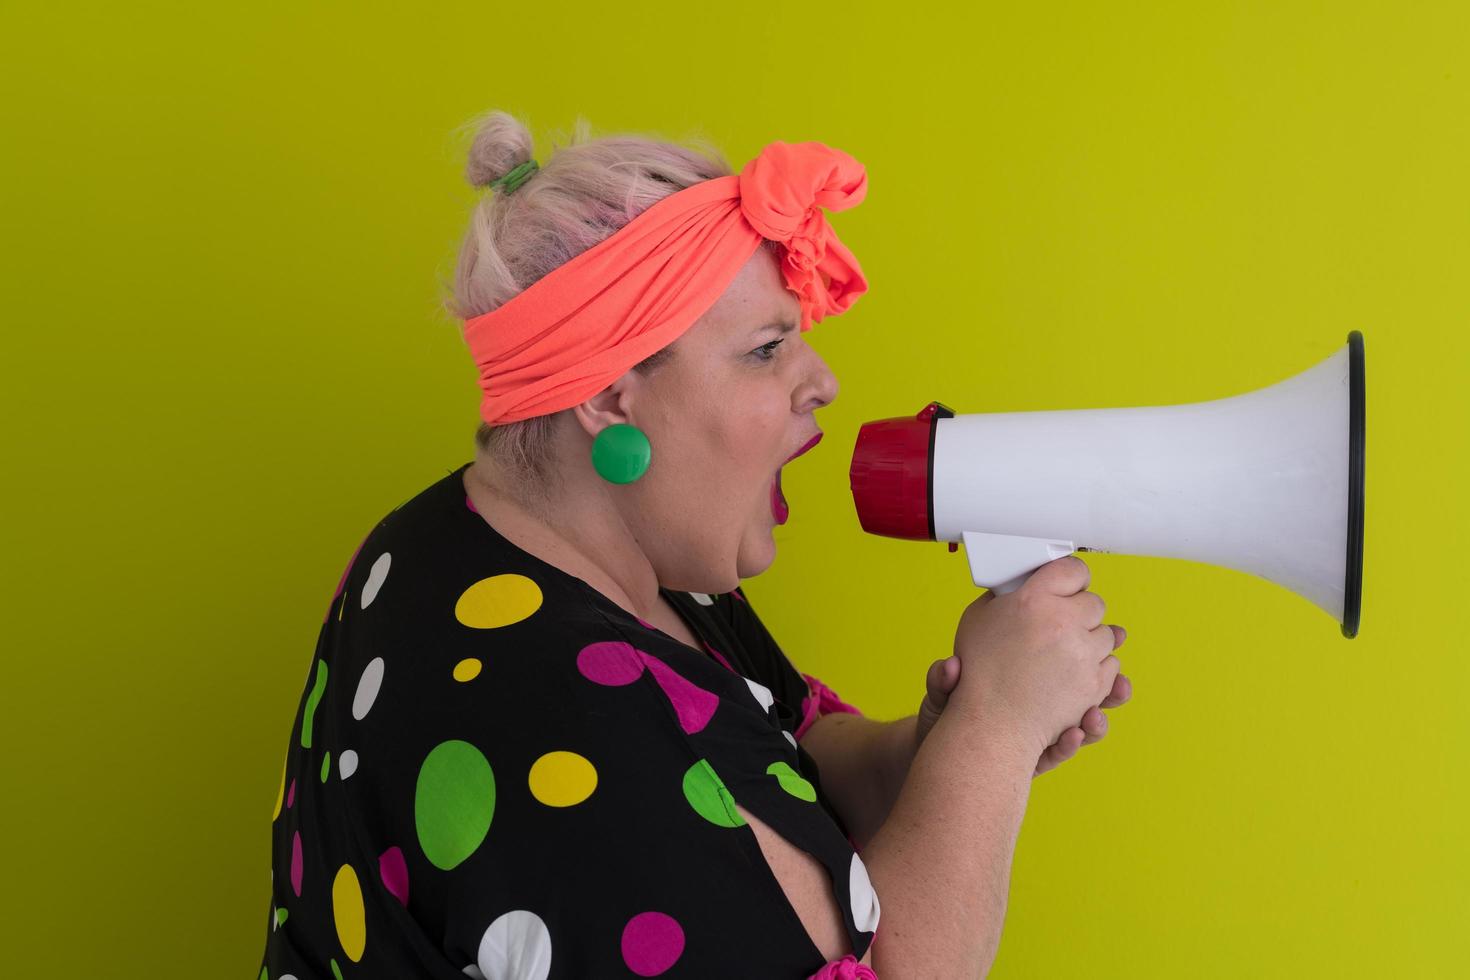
(576,199)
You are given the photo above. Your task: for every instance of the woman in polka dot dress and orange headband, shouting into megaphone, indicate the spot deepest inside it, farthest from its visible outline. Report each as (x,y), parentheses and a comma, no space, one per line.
(545,734)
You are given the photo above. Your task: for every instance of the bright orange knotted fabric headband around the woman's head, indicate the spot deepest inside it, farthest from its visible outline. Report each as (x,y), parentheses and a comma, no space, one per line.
(583,325)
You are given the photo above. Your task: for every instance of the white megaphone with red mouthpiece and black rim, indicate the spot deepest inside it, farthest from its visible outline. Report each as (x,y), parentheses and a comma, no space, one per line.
(1269,483)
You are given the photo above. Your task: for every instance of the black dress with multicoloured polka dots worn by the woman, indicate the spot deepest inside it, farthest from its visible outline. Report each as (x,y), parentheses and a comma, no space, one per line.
(498,772)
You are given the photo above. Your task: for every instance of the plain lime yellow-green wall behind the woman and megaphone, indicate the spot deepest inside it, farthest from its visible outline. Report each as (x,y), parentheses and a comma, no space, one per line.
(226,361)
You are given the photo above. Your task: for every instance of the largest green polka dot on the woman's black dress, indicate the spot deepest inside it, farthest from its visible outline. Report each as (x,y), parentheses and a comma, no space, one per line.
(455,803)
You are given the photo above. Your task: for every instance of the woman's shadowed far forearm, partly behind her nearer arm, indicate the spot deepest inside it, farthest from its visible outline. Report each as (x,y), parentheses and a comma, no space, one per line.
(862,765)
